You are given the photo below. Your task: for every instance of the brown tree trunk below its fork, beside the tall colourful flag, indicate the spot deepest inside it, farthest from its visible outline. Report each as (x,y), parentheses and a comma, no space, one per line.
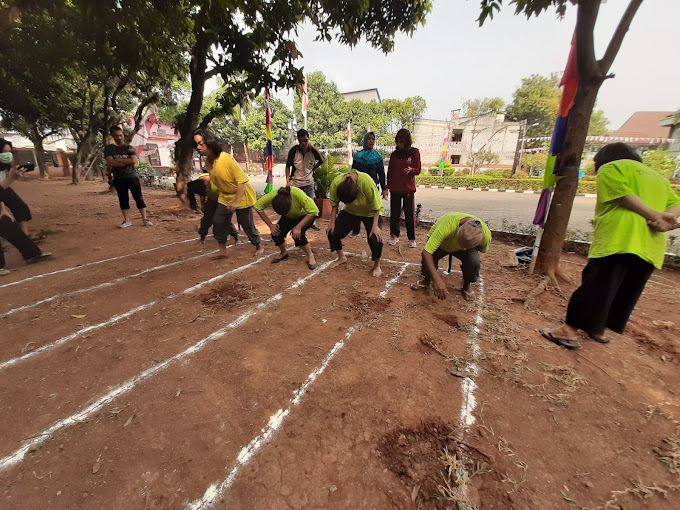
(567,166)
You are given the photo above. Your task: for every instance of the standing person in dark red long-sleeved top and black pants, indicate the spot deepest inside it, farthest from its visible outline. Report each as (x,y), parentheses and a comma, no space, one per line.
(401,182)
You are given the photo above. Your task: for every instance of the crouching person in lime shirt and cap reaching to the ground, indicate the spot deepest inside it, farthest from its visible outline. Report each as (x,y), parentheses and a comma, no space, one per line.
(459,234)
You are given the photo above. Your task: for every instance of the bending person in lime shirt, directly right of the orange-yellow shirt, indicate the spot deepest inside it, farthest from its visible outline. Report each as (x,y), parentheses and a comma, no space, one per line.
(298,213)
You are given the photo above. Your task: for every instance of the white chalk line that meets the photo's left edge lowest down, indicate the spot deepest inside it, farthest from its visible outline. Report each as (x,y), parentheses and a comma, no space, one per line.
(116,392)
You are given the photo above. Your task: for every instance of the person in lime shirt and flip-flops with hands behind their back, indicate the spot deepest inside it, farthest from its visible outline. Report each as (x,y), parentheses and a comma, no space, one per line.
(635,208)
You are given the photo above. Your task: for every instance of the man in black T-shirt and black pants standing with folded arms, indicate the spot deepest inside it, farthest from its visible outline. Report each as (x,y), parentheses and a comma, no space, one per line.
(122,158)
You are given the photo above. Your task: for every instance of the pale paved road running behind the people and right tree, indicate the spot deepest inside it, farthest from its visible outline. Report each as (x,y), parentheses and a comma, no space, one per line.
(516,208)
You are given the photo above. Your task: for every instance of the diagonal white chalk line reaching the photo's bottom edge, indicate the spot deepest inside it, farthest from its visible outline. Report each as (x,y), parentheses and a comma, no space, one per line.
(216,490)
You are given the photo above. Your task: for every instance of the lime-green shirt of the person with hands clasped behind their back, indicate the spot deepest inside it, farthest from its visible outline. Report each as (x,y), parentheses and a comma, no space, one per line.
(619,230)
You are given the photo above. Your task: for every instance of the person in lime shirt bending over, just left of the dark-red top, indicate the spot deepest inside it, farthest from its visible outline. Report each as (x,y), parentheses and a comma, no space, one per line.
(363,204)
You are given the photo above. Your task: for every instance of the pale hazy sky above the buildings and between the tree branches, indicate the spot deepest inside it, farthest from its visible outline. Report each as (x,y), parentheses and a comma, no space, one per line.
(451,58)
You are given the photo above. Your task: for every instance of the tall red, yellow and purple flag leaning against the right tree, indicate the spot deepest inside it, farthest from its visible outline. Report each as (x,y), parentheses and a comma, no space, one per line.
(569,83)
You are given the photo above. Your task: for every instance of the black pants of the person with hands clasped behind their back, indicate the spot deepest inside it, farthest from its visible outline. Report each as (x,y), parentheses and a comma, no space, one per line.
(610,289)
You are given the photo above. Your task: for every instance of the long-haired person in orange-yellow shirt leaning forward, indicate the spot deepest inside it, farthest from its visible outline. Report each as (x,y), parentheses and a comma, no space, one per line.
(236,193)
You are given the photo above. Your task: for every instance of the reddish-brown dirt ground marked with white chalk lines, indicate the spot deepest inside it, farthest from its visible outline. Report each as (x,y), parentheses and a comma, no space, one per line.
(162,379)
